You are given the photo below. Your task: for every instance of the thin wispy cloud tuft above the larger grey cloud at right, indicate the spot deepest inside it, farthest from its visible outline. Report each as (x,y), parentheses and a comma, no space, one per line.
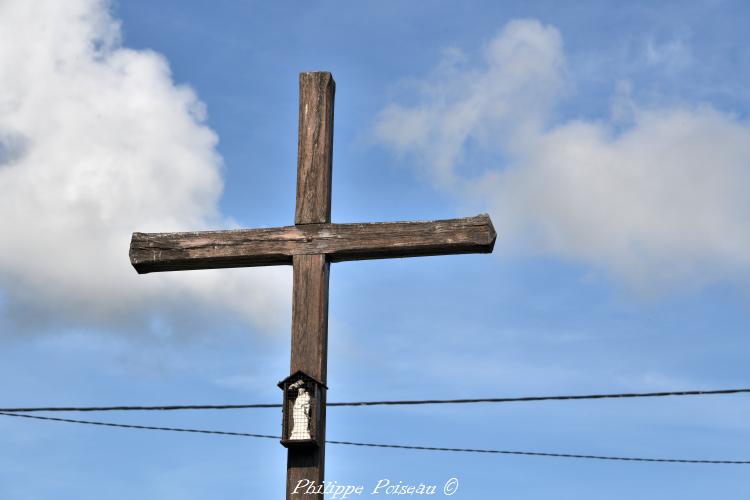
(509,94)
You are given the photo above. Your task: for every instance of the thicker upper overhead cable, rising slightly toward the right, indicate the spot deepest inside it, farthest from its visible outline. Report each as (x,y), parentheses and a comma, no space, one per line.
(381,403)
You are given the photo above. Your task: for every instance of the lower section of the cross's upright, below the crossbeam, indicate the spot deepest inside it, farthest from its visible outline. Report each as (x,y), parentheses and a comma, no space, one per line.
(309,354)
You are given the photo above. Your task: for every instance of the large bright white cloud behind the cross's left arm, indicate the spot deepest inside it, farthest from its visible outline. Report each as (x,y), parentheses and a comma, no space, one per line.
(97,141)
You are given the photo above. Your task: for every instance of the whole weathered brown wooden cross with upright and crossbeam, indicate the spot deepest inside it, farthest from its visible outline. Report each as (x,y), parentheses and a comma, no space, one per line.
(310,246)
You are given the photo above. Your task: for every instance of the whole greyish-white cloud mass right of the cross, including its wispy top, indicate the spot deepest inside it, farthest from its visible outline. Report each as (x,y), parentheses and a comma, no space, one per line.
(655,197)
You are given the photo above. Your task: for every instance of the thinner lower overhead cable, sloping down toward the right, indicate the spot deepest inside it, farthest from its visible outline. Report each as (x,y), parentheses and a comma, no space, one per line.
(396,446)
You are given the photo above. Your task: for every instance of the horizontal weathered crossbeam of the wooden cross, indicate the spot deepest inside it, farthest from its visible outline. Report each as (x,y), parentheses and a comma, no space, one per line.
(153,252)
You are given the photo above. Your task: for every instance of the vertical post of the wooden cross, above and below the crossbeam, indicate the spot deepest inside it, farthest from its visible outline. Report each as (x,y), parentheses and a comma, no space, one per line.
(310,294)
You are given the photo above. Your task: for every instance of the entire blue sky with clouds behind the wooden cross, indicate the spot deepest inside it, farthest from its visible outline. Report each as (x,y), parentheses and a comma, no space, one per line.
(610,144)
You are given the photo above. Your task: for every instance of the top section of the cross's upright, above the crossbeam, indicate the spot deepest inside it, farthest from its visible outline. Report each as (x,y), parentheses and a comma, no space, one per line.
(315,148)
